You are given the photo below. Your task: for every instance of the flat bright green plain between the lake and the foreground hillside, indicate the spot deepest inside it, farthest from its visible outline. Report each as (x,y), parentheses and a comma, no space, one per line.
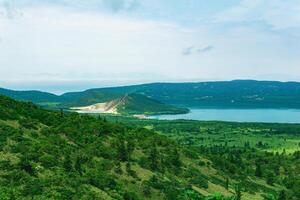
(263,136)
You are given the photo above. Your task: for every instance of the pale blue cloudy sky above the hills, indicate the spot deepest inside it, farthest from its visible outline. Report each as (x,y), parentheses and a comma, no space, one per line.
(67,45)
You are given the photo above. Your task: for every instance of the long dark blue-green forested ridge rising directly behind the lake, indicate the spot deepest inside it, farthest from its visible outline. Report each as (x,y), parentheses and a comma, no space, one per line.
(222,94)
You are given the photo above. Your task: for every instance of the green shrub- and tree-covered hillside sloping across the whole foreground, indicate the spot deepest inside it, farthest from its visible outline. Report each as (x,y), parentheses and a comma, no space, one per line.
(57,155)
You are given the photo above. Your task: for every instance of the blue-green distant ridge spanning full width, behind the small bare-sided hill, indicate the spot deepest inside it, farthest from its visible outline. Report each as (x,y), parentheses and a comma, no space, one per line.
(220,94)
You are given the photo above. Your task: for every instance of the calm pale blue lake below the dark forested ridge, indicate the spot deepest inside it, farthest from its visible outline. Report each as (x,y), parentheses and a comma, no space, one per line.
(238,115)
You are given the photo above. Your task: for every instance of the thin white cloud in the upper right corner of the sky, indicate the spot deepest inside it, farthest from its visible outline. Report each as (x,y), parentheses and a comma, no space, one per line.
(277,13)
